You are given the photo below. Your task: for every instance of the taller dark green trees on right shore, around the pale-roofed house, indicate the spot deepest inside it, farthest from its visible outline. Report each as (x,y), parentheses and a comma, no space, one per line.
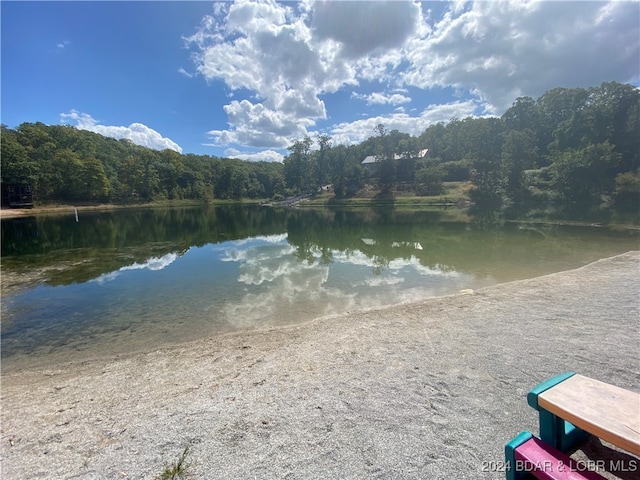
(574,148)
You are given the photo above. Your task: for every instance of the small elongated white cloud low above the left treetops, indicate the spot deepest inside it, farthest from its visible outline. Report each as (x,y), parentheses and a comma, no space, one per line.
(136,132)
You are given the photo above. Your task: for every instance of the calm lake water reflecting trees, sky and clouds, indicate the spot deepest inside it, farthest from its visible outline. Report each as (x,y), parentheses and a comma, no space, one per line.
(126,280)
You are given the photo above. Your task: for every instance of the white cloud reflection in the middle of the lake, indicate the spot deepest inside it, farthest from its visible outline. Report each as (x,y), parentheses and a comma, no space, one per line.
(281,289)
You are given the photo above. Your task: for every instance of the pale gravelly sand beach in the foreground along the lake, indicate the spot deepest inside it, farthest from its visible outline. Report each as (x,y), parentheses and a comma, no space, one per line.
(427,390)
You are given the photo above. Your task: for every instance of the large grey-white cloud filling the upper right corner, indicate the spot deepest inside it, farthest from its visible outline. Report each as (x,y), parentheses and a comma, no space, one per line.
(501,50)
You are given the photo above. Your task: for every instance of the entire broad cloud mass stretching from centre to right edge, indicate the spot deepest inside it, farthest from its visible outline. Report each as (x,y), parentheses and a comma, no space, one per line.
(282,62)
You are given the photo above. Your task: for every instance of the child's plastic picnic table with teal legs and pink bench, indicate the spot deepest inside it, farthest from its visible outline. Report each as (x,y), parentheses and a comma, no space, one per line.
(570,407)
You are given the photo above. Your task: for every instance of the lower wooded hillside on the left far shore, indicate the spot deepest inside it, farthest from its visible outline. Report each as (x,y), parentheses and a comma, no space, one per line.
(64,164)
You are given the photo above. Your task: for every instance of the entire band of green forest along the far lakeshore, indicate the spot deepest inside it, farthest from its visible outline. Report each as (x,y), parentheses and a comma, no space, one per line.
(569,148)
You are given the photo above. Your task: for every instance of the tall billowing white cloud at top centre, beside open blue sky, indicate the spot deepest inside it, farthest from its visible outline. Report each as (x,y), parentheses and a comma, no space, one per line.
(267,49)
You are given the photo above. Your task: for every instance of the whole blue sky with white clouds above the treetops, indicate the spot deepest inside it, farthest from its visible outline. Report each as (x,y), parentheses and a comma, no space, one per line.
(247,79)
